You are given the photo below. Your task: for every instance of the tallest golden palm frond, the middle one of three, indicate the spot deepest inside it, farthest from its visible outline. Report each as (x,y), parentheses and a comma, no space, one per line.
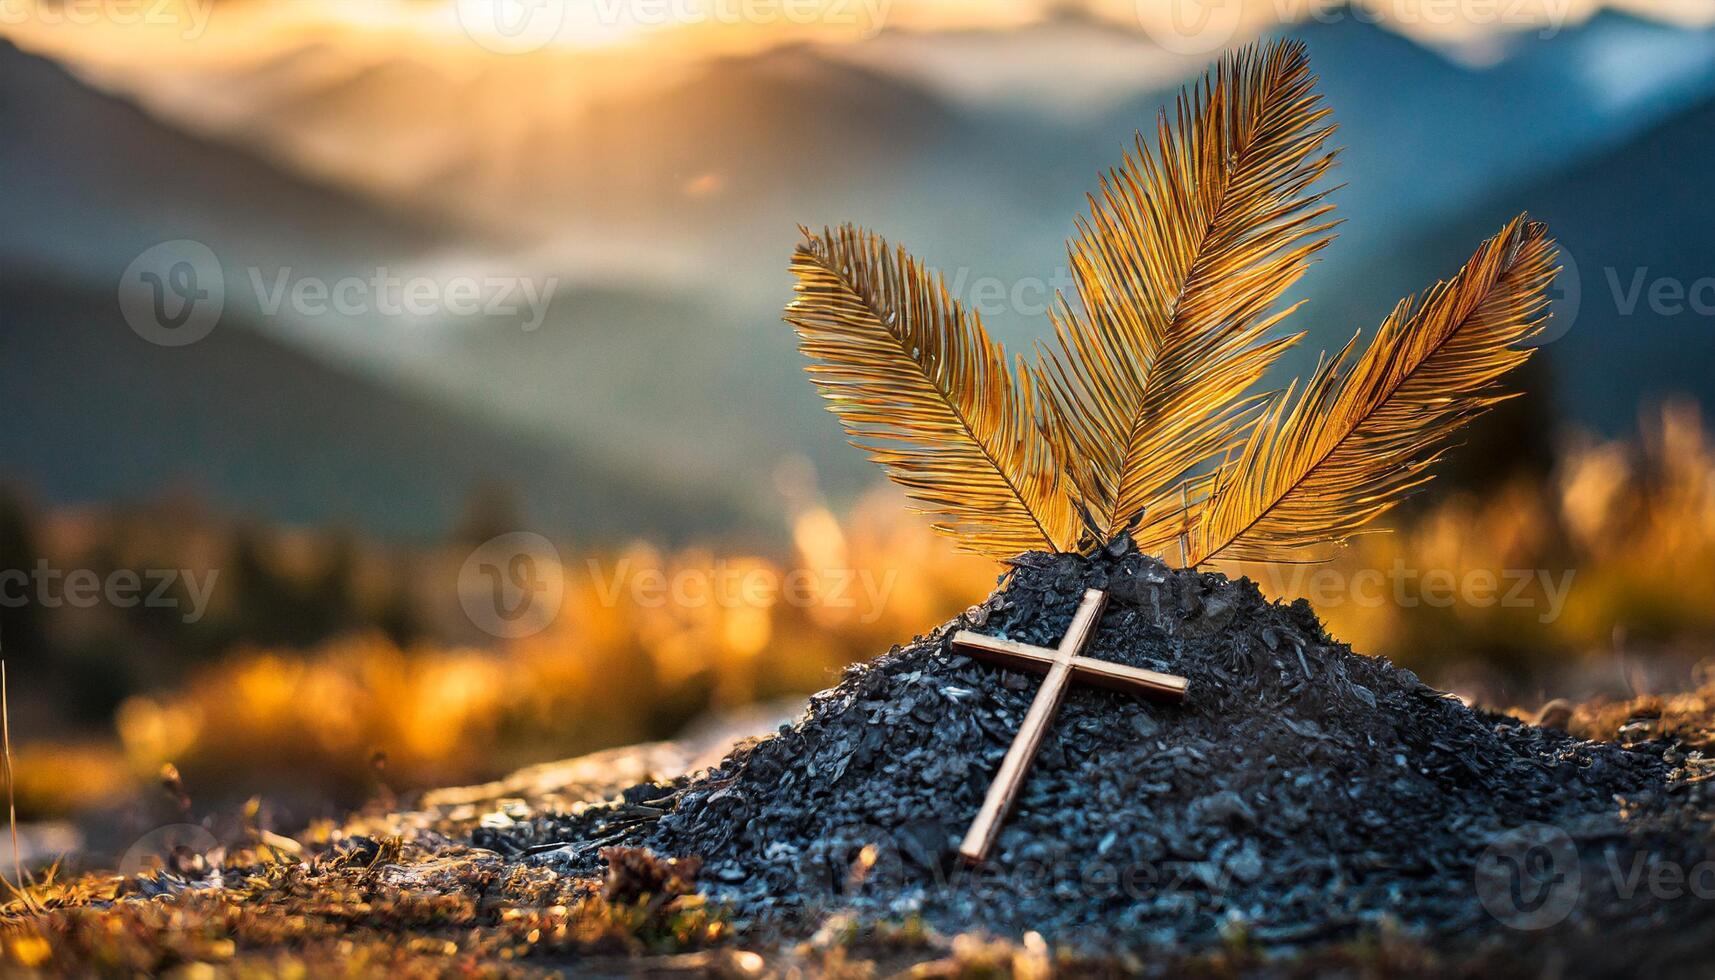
(1182,257)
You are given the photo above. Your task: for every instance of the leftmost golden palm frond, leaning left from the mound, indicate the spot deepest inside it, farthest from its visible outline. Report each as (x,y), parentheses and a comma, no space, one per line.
(929,396)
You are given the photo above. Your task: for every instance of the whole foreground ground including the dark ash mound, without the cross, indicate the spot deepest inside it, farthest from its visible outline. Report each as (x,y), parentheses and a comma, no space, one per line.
(1306,809)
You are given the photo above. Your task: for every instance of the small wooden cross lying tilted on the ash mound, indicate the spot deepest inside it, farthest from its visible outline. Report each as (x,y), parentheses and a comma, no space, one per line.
(1061,667)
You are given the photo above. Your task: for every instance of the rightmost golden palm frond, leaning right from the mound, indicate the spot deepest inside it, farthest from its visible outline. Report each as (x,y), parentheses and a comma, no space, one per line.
(1359,439)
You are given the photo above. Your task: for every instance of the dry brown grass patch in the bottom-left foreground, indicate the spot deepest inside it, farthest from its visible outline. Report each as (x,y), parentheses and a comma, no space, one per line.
(359,909)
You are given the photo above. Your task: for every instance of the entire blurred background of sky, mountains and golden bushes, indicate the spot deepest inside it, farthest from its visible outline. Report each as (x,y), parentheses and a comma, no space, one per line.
(426,356)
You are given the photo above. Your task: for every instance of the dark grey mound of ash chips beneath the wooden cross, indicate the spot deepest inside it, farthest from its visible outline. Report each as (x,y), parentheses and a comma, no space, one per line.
(1299,794)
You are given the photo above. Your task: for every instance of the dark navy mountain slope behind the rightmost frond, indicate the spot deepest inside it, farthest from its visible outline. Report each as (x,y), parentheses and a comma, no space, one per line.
(1637,301)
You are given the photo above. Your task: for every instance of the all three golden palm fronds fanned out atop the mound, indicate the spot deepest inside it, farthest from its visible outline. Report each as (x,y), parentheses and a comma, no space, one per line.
(1188,248)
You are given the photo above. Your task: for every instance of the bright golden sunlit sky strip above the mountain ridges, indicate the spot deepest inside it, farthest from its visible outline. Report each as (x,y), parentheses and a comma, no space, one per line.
(107,32)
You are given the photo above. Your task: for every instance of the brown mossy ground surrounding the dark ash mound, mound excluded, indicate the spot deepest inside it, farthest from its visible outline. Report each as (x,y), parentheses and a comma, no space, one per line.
(399,893)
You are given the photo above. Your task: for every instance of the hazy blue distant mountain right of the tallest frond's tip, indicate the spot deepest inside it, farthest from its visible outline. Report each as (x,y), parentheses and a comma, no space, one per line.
(1424,135)
